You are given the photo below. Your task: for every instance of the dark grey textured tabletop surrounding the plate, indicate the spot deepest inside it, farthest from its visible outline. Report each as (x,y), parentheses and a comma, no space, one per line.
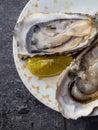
(19,110)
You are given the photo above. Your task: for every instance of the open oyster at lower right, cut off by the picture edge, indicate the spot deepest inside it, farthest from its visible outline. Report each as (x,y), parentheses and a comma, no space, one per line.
(77,92)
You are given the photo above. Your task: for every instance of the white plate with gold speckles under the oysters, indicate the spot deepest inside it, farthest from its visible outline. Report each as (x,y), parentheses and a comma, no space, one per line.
(44,89)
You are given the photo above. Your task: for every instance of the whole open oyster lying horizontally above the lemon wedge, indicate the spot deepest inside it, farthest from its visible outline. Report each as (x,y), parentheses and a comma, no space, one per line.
(52,33)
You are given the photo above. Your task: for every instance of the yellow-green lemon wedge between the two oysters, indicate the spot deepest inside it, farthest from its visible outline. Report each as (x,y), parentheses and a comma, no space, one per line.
(47,66)
